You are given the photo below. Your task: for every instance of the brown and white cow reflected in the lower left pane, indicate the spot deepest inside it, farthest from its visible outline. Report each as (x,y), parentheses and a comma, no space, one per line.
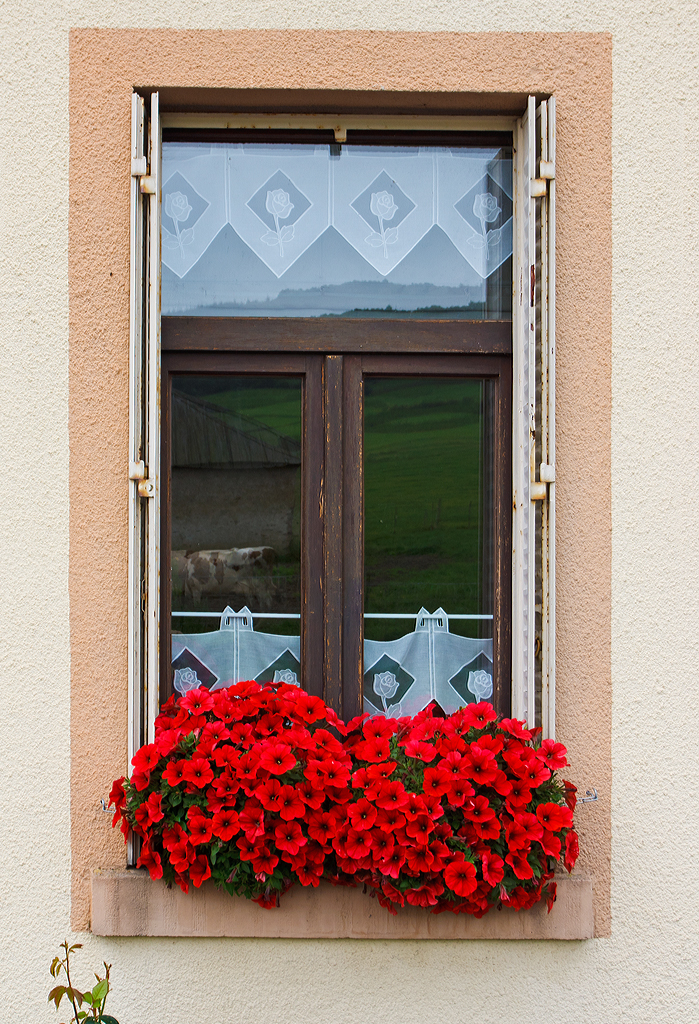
(239,574)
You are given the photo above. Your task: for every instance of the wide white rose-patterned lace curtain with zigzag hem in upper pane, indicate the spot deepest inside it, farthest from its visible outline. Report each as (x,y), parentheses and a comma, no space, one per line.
(281,199)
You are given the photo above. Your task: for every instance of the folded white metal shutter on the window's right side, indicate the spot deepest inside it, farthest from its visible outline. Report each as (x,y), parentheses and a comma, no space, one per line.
(534,313)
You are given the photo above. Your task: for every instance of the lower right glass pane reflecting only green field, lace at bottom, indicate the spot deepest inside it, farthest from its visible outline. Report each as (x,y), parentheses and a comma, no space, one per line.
(428,543)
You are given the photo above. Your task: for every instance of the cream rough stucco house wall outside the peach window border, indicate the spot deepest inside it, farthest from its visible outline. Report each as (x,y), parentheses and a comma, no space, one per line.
(646,971)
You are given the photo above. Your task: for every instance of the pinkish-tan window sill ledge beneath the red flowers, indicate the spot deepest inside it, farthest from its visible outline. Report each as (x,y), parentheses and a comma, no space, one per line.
(130,904)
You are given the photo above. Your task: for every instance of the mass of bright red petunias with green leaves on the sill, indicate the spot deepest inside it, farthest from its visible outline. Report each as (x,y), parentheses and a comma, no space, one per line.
(261,787)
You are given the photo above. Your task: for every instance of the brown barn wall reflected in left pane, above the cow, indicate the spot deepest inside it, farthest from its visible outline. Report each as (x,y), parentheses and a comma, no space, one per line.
(224,508)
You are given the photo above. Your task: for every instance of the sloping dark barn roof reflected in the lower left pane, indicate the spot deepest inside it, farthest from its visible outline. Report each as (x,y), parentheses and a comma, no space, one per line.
(207,437)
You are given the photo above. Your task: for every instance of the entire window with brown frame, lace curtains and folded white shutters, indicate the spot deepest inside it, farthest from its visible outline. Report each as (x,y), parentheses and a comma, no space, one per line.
(343,385)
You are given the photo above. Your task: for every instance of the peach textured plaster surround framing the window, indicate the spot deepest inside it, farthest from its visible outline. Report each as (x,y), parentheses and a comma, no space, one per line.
(319,72)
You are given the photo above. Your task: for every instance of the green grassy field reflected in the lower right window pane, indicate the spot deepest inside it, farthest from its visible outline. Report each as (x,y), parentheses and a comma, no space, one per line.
(422,505)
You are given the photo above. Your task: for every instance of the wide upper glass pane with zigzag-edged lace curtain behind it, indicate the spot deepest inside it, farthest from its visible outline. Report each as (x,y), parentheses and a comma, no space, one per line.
(282,230)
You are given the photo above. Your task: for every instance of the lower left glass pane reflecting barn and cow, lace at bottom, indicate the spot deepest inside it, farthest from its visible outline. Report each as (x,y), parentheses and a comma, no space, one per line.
(236,514)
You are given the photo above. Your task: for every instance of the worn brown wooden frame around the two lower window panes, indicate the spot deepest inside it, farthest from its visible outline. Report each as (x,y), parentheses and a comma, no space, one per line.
(333,359)
